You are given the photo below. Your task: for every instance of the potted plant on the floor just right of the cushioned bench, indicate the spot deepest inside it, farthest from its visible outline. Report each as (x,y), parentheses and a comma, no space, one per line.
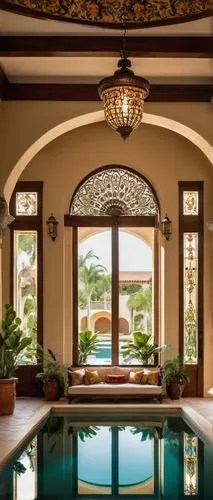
(174,377)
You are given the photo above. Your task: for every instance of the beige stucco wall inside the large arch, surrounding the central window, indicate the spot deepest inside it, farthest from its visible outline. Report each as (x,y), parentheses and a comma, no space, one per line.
(159,154)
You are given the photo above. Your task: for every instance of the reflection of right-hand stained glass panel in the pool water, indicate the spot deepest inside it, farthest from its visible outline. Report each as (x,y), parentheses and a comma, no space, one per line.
(190,464)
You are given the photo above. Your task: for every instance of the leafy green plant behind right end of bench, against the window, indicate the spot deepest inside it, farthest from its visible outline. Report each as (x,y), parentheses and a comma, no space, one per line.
(141,348)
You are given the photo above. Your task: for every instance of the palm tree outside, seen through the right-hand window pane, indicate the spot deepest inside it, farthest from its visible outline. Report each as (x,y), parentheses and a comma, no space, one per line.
(140,301)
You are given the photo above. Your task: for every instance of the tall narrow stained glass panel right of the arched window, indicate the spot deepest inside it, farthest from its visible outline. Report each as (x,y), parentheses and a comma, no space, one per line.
(190,298)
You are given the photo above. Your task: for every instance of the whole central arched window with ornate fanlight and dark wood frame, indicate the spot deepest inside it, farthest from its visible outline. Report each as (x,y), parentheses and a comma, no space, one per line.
(114,214)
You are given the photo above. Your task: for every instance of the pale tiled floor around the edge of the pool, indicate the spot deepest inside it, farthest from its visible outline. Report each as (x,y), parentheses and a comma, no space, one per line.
(28,412)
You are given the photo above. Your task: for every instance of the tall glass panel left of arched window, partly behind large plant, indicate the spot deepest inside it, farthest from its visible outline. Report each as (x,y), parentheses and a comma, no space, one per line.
(25,282)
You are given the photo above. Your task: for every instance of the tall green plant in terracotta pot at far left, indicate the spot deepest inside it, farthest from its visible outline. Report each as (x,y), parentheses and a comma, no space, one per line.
(12,344)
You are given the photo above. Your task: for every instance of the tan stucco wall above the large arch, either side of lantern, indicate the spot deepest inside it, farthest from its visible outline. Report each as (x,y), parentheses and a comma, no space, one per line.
(22,123)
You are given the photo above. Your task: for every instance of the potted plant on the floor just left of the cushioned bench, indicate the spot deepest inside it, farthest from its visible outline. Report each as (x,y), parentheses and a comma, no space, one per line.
(54,374)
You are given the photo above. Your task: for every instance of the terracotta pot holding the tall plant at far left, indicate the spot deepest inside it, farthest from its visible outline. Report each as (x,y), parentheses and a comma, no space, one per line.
(7,395)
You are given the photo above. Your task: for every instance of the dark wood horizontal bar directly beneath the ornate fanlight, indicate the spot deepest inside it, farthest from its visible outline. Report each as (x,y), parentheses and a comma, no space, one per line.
(109,221)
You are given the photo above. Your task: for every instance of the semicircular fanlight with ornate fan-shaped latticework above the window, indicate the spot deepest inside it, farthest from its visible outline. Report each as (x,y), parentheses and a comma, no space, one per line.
(114,191)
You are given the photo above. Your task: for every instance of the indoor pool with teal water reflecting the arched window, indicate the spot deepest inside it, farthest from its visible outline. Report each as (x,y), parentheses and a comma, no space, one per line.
(145,457)
